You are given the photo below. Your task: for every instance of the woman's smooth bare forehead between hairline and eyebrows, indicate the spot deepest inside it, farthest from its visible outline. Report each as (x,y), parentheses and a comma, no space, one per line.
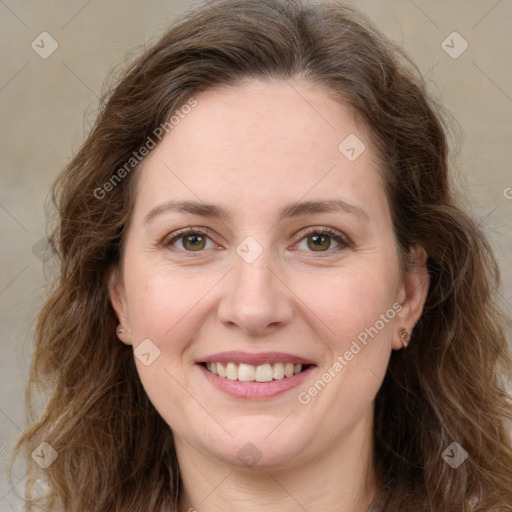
(259,143)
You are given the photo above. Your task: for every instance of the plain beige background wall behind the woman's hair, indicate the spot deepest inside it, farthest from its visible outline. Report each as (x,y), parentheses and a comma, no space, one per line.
(46,105)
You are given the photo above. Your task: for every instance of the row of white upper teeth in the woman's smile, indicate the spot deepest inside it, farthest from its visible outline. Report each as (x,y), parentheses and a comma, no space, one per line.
(250,373)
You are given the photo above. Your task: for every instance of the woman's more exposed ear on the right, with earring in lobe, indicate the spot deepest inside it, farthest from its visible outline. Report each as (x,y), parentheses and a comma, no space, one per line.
(412,293)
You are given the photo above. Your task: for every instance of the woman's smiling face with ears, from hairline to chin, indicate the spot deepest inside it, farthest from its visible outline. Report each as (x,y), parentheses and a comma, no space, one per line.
(260,273)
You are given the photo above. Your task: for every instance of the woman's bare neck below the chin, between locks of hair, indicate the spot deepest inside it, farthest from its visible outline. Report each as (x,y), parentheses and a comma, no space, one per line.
(341,478)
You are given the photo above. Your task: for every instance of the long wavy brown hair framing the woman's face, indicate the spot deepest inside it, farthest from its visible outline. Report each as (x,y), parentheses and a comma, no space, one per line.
(115,452)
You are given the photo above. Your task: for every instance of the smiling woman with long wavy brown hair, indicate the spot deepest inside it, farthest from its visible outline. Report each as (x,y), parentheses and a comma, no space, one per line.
(269,297)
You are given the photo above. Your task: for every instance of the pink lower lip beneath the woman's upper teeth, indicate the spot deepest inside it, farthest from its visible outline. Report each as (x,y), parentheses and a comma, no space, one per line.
(255,390)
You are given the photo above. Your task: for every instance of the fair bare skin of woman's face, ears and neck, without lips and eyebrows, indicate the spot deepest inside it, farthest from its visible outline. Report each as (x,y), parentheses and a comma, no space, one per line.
(252,149)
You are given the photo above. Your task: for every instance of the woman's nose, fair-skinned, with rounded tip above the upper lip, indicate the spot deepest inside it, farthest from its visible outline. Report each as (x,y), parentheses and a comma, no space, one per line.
(255,299)
